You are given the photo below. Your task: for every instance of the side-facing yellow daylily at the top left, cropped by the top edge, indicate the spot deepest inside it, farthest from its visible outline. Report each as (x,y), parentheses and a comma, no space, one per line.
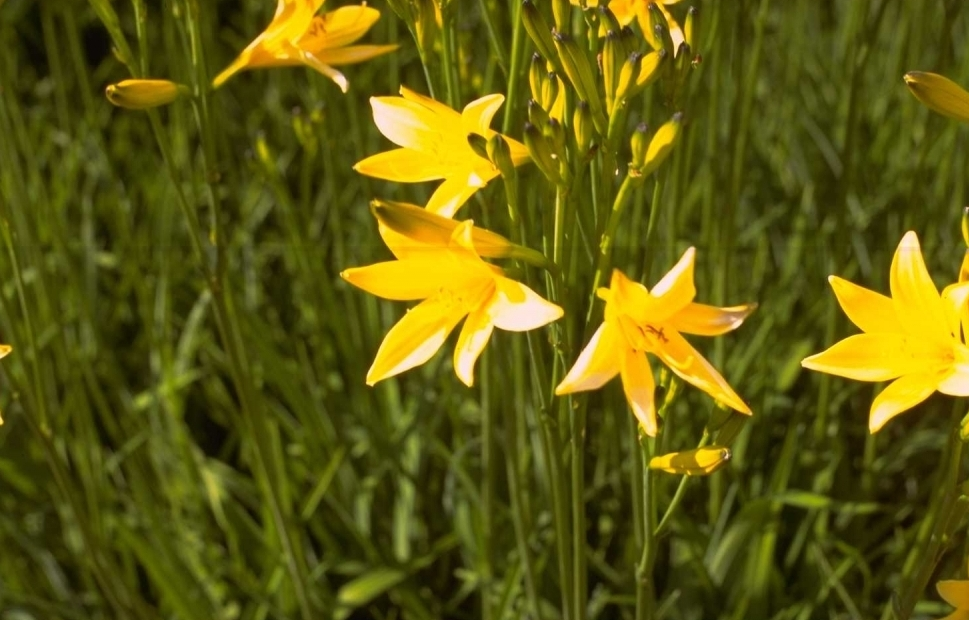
(297,36)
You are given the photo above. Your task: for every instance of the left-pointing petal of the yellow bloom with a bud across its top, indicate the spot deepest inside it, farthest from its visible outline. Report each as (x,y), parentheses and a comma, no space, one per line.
(417,277)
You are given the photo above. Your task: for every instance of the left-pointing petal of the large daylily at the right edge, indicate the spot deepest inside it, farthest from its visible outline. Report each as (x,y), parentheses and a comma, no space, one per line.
(879,357)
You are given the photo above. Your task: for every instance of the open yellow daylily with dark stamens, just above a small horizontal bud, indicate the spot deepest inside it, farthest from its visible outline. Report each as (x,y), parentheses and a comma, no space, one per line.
(640,321)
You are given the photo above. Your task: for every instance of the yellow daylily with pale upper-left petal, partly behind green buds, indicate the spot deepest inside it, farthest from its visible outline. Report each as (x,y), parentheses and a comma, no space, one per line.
(434,145)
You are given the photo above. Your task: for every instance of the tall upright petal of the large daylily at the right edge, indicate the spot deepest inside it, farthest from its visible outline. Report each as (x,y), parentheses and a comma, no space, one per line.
(917,303)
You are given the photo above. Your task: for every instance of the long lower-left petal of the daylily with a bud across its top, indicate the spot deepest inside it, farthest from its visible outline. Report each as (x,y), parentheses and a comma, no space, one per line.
(415,338)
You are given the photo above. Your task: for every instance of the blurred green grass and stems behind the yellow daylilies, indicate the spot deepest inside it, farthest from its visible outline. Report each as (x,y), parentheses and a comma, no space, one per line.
(131,486)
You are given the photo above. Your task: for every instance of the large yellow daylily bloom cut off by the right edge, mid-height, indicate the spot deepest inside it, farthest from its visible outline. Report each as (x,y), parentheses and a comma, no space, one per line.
(912,338)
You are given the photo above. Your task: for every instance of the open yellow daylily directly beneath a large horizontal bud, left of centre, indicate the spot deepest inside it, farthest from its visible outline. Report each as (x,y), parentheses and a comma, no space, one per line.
(453,282)
